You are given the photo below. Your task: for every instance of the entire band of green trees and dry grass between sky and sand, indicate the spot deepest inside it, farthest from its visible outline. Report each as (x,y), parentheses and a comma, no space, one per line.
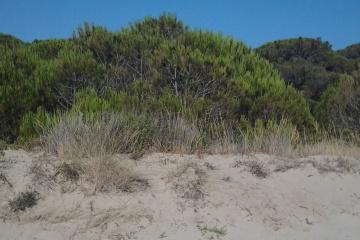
(159,85)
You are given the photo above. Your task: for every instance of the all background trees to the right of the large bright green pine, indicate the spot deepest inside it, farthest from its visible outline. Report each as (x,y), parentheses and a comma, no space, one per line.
(328,79)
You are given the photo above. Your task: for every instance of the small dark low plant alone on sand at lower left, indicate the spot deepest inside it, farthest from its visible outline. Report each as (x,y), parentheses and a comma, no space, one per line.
(24,200)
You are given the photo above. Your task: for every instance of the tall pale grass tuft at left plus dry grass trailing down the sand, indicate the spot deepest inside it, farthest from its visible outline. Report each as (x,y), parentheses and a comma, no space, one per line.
(89,146)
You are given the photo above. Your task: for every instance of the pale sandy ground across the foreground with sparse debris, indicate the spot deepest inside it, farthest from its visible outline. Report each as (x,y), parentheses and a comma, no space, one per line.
(189,197)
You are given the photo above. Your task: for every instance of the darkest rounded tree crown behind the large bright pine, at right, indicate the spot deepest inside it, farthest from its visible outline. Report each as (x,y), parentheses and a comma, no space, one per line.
(309,65)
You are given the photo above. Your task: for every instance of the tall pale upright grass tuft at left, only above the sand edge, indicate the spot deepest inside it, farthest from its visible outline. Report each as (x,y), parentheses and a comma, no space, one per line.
(73,137)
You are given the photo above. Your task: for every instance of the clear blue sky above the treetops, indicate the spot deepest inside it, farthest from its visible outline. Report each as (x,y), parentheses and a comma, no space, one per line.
(254,22)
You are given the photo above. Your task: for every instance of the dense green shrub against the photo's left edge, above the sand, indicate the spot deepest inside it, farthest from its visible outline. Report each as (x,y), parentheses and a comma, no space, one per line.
(20,91)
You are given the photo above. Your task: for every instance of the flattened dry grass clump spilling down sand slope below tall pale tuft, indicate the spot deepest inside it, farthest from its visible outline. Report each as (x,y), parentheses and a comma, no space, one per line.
(97,174)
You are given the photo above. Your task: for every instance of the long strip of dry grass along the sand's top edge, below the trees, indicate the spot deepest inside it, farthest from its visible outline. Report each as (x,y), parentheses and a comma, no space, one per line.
(73,137)
